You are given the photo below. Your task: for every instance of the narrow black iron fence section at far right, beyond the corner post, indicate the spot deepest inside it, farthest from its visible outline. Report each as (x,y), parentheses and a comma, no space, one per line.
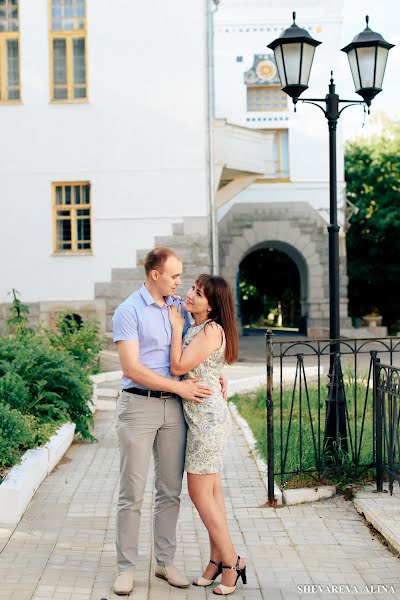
(387,403)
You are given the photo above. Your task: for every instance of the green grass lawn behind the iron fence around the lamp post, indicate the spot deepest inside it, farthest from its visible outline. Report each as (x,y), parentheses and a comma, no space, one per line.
(297,447)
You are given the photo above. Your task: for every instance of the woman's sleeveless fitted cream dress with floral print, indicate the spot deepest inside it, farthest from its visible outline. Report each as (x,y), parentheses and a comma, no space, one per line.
(208,422)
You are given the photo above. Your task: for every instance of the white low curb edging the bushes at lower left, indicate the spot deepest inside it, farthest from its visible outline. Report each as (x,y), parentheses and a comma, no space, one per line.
(21,483)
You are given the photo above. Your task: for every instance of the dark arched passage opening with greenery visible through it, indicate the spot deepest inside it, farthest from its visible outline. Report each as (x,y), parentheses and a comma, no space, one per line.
(272,286)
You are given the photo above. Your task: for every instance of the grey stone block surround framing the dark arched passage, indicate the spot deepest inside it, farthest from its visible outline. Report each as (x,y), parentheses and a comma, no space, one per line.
(301,232)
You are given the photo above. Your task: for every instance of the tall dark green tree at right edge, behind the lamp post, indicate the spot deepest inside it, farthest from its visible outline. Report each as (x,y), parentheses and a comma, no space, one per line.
(373,240)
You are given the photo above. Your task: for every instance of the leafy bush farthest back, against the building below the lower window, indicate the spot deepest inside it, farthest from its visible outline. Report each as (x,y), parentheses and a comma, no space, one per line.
(80,338)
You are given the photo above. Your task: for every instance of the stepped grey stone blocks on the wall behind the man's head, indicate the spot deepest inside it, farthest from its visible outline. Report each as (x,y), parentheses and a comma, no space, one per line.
(192,249)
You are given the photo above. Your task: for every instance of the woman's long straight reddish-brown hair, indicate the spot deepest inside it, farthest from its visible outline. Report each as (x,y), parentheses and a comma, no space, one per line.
(220,298)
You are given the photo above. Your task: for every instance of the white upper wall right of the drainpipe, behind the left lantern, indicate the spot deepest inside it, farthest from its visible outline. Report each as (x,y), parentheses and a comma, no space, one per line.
(244,28)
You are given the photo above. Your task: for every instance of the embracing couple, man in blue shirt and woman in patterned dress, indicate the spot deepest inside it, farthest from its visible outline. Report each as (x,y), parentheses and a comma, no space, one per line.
(173,403)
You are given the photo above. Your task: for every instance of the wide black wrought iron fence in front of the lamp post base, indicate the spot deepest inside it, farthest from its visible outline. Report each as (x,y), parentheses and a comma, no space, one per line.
(300,396)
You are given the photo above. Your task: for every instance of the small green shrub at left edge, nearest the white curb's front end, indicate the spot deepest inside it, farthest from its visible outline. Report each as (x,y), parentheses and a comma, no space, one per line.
(15,435)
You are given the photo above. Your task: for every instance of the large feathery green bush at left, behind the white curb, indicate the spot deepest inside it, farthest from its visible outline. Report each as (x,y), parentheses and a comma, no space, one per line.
(59,390)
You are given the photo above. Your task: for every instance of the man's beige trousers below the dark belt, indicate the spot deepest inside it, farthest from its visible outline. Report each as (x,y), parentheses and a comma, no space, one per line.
(146,424)
